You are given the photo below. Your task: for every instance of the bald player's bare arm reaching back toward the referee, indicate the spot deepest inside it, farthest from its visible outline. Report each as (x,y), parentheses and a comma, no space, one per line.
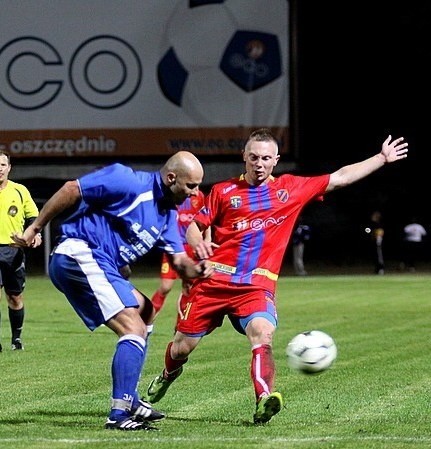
(64,198)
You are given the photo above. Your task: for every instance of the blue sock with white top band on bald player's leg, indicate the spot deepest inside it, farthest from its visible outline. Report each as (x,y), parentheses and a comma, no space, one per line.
(126,370)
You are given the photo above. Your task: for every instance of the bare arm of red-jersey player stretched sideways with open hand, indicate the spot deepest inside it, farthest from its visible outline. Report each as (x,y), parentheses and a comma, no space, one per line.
(390,152)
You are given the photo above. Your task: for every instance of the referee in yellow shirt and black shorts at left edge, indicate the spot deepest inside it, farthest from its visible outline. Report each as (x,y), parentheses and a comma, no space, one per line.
(17,211)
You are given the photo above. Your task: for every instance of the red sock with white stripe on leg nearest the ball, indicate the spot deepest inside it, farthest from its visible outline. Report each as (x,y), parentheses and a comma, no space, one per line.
(262,370)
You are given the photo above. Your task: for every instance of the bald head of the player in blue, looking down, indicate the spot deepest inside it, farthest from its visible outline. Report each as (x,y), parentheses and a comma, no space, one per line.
(182,174)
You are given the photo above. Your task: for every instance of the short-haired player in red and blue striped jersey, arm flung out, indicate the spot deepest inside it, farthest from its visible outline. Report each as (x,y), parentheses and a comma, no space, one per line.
(252,218)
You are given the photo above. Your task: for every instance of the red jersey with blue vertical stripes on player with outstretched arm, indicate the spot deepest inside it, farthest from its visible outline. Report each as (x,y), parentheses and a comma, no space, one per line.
(253,225)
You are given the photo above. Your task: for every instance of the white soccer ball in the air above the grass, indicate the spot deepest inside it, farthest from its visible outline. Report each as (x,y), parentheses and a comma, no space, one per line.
(311,352)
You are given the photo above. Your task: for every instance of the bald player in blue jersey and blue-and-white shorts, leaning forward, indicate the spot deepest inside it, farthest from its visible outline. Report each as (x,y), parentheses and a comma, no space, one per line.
(119,215)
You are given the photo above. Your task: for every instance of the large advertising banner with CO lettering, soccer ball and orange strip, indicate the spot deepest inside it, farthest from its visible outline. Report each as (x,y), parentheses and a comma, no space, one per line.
(94,78)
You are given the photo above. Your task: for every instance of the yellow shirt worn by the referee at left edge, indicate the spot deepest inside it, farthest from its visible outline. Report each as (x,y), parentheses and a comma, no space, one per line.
(16,206)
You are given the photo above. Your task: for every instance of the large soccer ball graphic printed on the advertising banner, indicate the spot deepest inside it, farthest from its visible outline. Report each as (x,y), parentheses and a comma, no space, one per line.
(225,66)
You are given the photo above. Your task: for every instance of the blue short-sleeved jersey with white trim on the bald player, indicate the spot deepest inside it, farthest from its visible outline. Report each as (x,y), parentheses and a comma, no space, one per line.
(121,215)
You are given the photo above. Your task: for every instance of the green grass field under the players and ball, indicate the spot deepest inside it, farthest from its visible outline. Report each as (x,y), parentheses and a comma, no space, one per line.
(55,394)
